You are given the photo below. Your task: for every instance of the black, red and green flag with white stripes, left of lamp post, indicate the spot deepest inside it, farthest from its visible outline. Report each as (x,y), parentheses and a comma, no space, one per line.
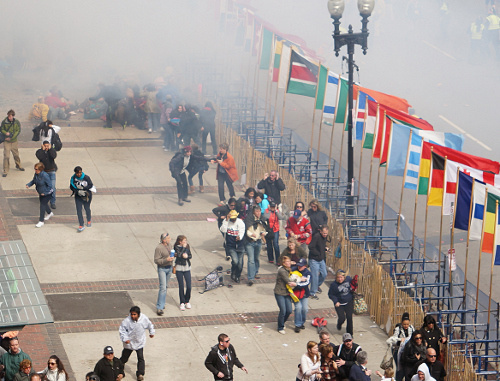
(303,76)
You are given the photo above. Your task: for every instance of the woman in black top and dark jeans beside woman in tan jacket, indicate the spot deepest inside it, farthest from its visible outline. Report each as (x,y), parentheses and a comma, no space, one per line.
(183,270)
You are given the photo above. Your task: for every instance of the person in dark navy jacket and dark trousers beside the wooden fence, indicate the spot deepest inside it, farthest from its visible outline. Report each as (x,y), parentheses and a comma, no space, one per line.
(341,295)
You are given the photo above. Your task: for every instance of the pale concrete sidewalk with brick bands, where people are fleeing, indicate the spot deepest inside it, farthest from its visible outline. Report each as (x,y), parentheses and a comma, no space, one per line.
(134,204)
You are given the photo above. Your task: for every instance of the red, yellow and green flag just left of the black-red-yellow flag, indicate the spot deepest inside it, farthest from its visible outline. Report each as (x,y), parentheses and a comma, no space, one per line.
(453,155)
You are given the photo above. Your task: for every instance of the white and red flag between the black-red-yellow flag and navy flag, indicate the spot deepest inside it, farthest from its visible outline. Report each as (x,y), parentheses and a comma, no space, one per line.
(451,181)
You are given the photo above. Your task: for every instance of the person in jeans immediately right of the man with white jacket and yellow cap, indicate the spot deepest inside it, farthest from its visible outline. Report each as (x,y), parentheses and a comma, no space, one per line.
(255,235)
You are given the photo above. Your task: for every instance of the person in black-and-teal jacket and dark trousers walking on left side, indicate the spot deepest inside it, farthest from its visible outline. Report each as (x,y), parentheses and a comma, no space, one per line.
(82,188)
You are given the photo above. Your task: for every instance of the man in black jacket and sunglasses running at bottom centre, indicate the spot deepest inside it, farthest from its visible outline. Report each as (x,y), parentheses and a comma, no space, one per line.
(222,358)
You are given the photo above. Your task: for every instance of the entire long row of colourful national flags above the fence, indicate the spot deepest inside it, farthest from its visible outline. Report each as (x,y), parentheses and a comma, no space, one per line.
(432,163)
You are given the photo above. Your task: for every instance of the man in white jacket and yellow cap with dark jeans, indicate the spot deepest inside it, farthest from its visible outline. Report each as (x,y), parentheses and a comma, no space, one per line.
(233,229)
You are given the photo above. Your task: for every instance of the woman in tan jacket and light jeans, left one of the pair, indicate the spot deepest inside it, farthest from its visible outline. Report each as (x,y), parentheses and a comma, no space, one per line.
(164,260)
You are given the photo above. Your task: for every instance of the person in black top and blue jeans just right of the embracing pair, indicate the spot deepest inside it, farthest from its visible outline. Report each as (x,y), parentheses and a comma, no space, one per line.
(317,260)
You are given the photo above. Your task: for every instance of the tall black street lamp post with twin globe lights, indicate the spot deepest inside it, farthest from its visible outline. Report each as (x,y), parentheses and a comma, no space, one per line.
(351,39)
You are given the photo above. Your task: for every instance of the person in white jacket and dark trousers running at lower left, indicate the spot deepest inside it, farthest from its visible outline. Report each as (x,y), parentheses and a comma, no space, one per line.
(133,335)
